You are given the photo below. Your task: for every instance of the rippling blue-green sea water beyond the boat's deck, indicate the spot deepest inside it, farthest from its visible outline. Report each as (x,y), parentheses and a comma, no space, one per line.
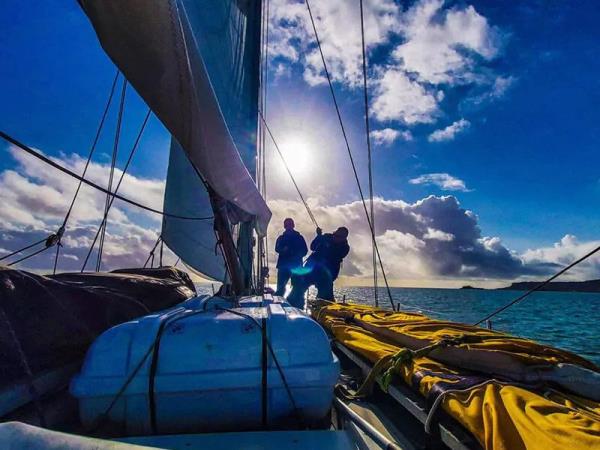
(567,320)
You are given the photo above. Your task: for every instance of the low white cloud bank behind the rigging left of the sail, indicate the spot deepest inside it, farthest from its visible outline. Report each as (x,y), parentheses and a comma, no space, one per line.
(35,200)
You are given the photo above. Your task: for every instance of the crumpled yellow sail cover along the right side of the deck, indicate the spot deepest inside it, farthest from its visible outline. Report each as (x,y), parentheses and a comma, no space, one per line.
(500,413)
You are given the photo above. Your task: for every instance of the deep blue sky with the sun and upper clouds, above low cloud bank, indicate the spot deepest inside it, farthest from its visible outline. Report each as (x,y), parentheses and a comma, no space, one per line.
(508,125)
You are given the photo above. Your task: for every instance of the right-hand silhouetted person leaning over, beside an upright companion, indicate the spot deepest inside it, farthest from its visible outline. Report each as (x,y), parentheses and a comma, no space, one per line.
(322,267)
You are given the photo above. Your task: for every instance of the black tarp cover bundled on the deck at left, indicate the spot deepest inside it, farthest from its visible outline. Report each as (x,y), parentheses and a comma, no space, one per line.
(49,321)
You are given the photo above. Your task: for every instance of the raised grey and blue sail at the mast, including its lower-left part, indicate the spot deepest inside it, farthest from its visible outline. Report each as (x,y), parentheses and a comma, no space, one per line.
(196,64)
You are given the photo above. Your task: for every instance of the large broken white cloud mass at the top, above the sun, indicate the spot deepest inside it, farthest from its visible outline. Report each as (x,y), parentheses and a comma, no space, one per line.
(430,47)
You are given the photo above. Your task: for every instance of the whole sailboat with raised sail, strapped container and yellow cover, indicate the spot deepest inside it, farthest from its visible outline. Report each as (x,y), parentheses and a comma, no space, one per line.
(242,368)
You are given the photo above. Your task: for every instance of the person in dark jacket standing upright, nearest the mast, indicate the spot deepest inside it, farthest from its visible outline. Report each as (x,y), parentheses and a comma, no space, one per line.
(291,248)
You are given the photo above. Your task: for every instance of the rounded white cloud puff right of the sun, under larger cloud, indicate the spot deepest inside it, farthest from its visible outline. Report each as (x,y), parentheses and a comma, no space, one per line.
(397,97)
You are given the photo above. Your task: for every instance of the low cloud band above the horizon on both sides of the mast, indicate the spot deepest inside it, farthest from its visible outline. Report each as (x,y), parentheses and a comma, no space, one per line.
(433,238)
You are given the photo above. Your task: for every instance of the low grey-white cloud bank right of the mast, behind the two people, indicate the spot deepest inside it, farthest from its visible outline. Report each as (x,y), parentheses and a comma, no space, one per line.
(433,238)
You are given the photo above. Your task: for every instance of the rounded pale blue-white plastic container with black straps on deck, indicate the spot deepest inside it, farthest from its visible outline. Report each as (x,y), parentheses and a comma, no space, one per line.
(207,374)
